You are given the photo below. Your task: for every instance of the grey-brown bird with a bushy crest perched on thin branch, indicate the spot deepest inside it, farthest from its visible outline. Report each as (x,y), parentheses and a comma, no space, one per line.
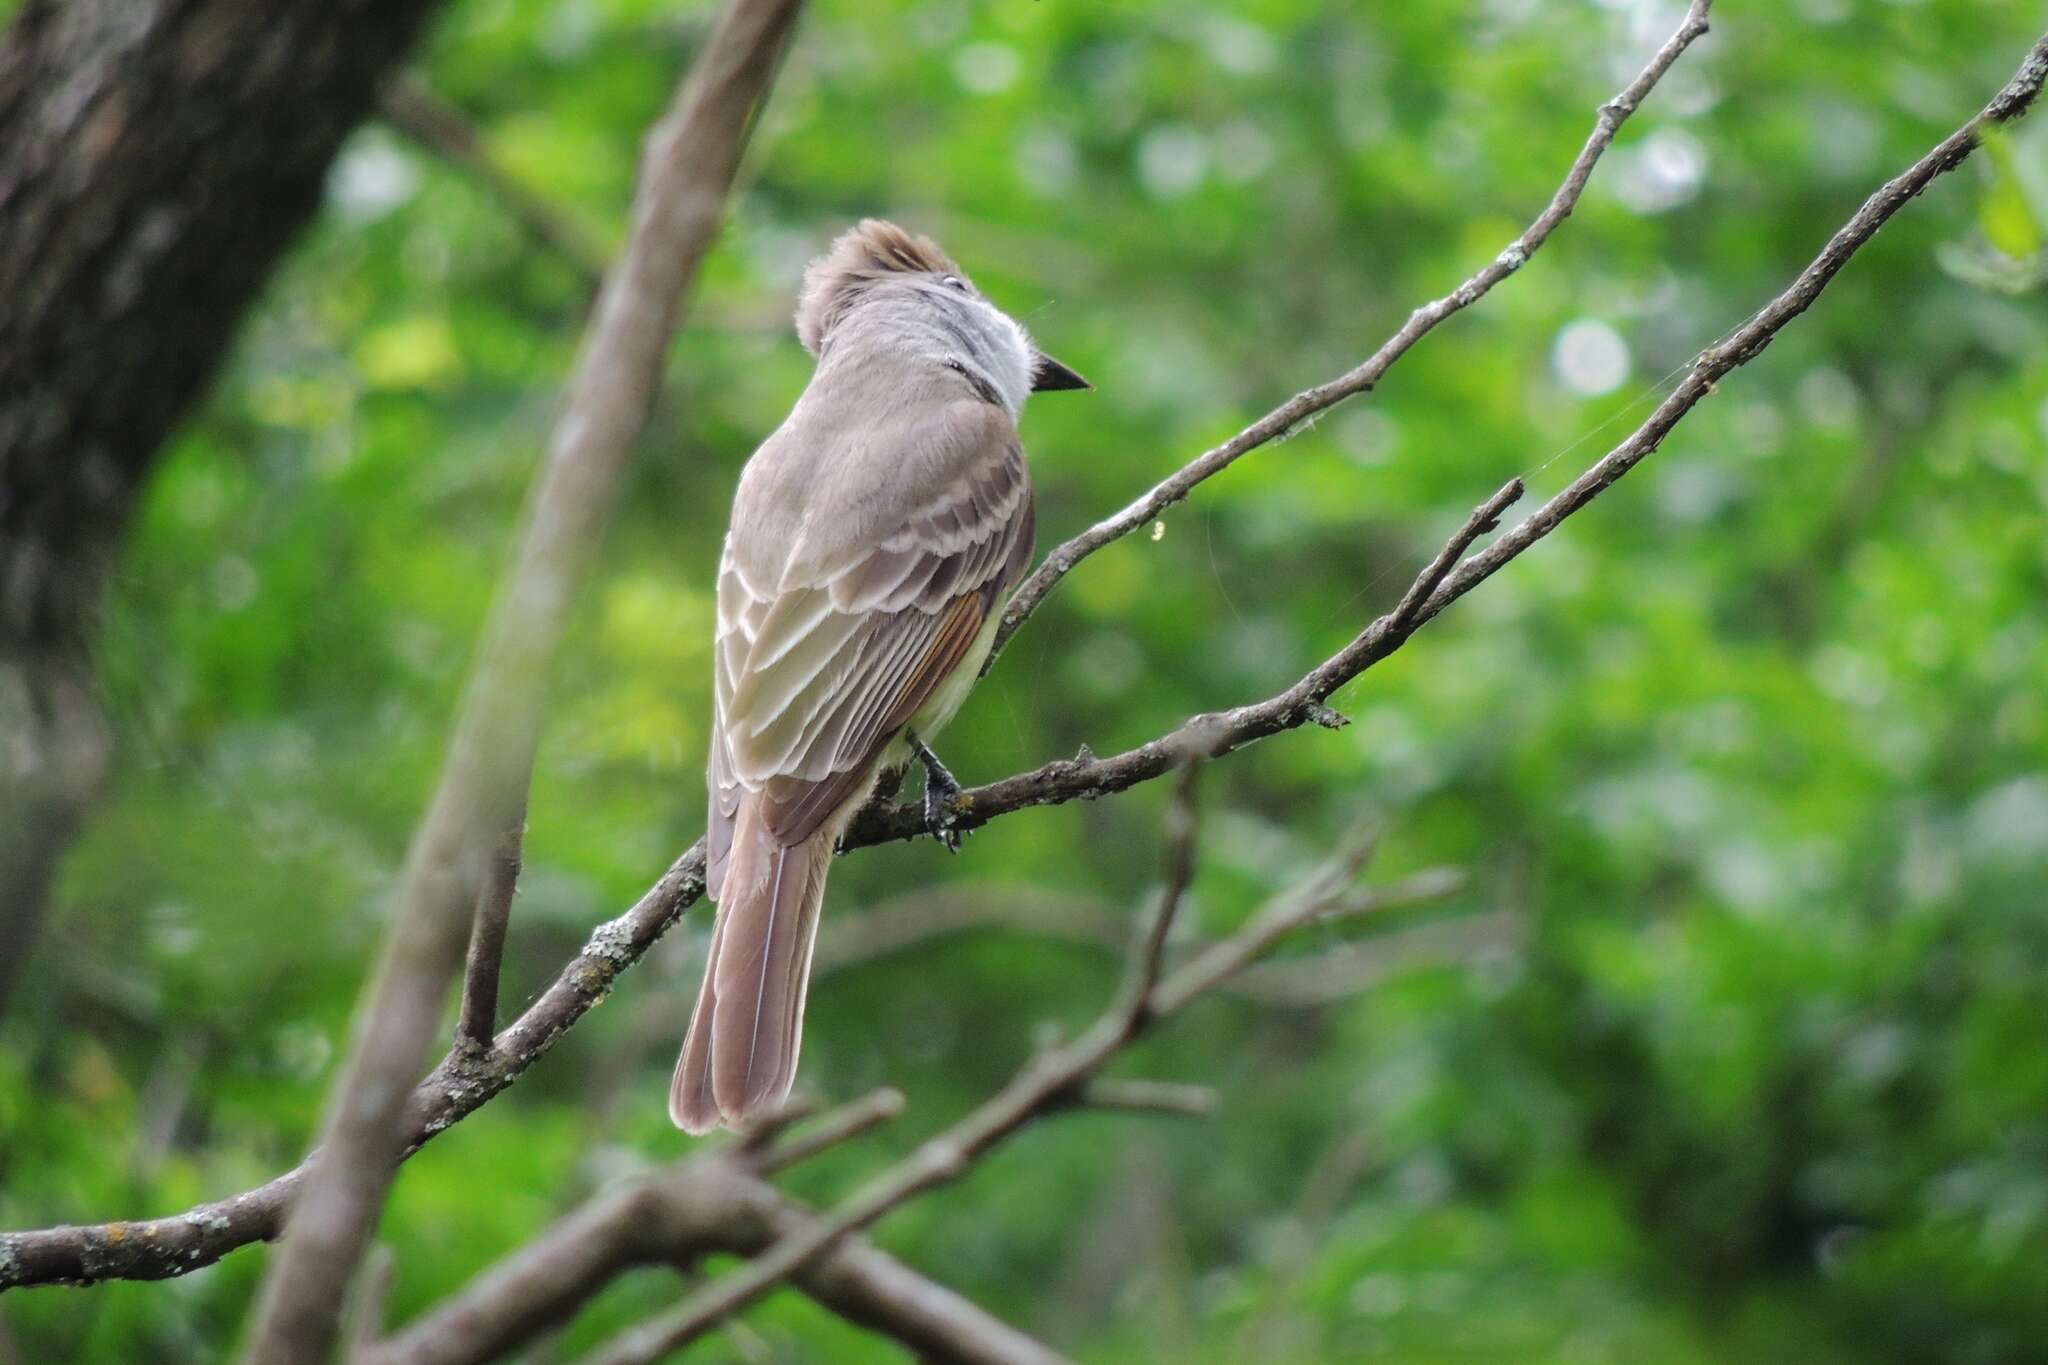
(876,539)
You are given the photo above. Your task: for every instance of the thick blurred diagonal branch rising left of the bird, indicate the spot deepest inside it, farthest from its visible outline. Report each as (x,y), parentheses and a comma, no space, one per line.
(685,173)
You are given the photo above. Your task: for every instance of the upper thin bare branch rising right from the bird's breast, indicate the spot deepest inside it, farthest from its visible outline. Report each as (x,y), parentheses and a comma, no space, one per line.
(1361,380)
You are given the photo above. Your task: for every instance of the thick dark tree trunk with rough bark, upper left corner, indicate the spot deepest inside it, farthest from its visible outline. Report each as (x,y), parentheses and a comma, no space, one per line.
(157,159)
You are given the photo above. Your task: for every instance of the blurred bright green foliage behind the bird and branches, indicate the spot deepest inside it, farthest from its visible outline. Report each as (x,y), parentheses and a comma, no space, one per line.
(1732,1051)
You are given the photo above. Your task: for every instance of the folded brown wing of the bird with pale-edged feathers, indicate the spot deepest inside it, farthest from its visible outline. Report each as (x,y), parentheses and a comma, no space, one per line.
(820,670)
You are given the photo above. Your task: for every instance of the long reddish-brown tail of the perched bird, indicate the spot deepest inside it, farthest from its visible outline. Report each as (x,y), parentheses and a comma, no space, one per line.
(740,1055)
